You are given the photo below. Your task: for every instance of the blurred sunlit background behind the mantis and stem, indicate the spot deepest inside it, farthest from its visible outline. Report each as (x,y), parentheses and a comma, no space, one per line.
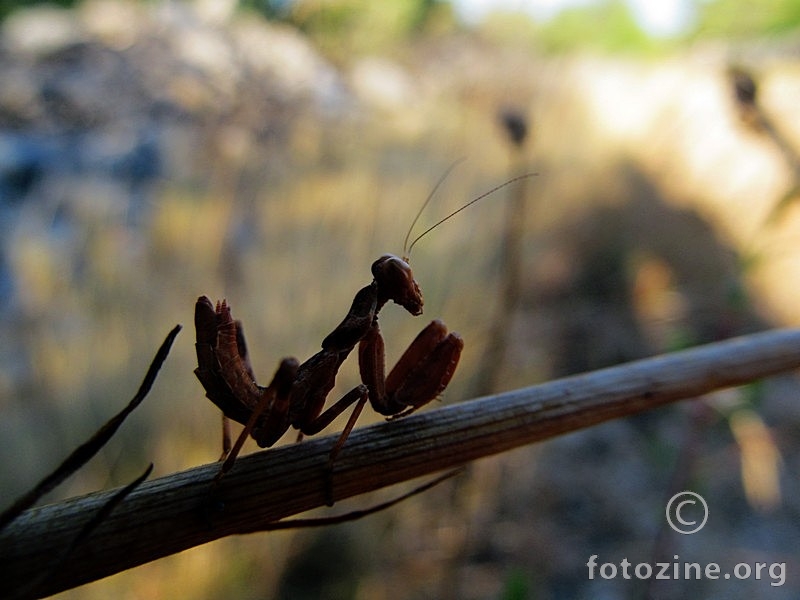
(268,152)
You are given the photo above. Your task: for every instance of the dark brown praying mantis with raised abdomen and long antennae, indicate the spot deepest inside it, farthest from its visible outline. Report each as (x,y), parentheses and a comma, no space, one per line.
(297,394)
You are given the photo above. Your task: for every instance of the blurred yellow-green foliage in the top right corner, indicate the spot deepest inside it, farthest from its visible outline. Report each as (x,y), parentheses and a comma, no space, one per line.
(746,19)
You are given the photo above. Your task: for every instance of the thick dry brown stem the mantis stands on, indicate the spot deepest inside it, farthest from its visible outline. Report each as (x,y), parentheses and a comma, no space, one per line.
(177,512)
